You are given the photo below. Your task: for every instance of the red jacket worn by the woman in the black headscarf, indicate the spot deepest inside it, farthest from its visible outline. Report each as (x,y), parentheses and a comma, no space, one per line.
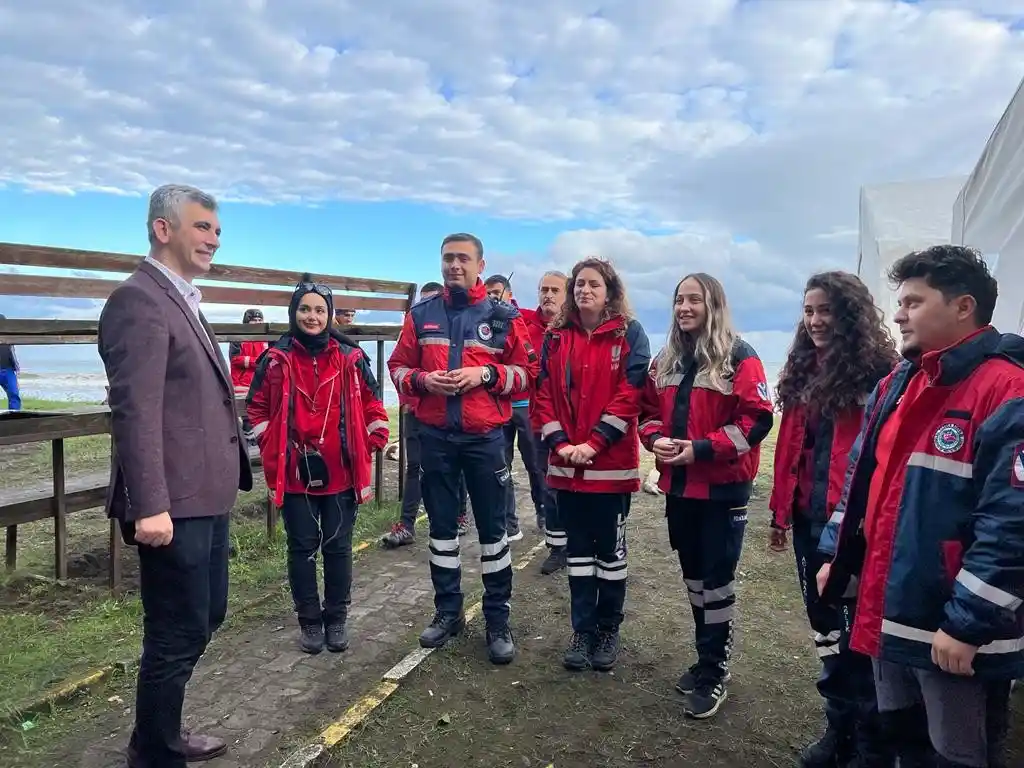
(330,403)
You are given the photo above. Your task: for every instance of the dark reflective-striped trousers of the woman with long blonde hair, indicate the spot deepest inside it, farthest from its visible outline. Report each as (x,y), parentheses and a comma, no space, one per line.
(708,536)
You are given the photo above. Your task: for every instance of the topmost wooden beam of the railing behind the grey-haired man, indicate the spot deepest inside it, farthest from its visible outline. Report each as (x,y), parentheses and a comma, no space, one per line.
(17,254)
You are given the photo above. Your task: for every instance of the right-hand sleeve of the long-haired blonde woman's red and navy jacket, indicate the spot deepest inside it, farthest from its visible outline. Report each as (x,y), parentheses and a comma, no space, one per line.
(752,420)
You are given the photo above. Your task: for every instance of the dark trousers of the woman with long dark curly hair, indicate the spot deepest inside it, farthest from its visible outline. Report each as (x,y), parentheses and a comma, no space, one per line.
(847,681)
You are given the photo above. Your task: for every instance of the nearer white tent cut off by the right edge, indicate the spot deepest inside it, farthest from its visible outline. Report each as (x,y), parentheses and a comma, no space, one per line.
(990,214)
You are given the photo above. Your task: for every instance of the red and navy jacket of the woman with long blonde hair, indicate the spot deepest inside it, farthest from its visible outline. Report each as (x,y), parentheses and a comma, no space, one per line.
(727,428)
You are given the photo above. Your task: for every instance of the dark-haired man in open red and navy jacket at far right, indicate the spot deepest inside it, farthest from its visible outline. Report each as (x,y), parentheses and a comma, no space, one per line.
(931,522)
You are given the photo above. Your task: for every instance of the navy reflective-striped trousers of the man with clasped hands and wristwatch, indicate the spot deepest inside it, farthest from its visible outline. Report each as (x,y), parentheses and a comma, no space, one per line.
(482,461)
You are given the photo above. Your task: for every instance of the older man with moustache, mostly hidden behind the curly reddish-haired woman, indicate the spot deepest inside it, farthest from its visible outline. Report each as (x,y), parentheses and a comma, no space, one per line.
(551,298)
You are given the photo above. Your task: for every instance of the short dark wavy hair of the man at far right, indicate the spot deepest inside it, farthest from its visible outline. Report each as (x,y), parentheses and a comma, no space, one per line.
(955,272)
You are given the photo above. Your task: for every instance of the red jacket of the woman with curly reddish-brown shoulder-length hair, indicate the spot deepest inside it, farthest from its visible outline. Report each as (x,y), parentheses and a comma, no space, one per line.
(589,393)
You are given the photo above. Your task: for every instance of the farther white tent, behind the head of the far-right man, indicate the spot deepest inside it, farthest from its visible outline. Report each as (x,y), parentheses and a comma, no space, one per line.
(897,220)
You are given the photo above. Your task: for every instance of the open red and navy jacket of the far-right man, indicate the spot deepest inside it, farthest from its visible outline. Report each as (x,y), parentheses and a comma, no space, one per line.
(941,546)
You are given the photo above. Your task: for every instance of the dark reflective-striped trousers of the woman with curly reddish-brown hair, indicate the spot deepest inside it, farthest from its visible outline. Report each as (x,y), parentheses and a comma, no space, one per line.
(595,553)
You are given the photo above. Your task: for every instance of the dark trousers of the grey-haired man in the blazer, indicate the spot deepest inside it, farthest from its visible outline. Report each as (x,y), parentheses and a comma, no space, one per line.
(185,601)
